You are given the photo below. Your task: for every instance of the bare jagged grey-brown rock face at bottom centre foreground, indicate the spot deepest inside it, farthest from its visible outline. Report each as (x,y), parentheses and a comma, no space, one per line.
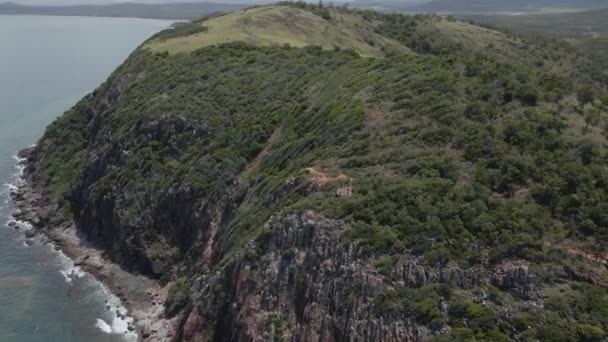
(301,285)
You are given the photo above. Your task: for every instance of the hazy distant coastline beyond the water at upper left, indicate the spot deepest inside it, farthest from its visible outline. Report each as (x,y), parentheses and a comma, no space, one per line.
(135,10)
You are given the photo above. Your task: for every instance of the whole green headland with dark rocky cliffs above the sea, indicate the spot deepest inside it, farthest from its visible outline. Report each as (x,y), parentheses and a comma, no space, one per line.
(306,173)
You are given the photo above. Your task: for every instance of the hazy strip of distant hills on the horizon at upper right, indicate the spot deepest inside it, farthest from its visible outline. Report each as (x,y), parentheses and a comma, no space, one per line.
(484,6)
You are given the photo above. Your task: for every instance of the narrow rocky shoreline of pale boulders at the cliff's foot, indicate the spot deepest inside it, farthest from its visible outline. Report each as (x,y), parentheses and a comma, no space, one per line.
(142,297)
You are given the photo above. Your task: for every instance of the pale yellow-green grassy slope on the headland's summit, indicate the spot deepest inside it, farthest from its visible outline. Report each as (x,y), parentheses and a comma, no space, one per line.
(279,25)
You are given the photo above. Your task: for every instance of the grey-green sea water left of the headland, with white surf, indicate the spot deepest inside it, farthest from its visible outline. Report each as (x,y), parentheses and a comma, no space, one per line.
(46,65)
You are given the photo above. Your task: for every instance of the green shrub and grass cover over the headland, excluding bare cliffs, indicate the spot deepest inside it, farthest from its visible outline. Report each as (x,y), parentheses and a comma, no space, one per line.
(463,146)
